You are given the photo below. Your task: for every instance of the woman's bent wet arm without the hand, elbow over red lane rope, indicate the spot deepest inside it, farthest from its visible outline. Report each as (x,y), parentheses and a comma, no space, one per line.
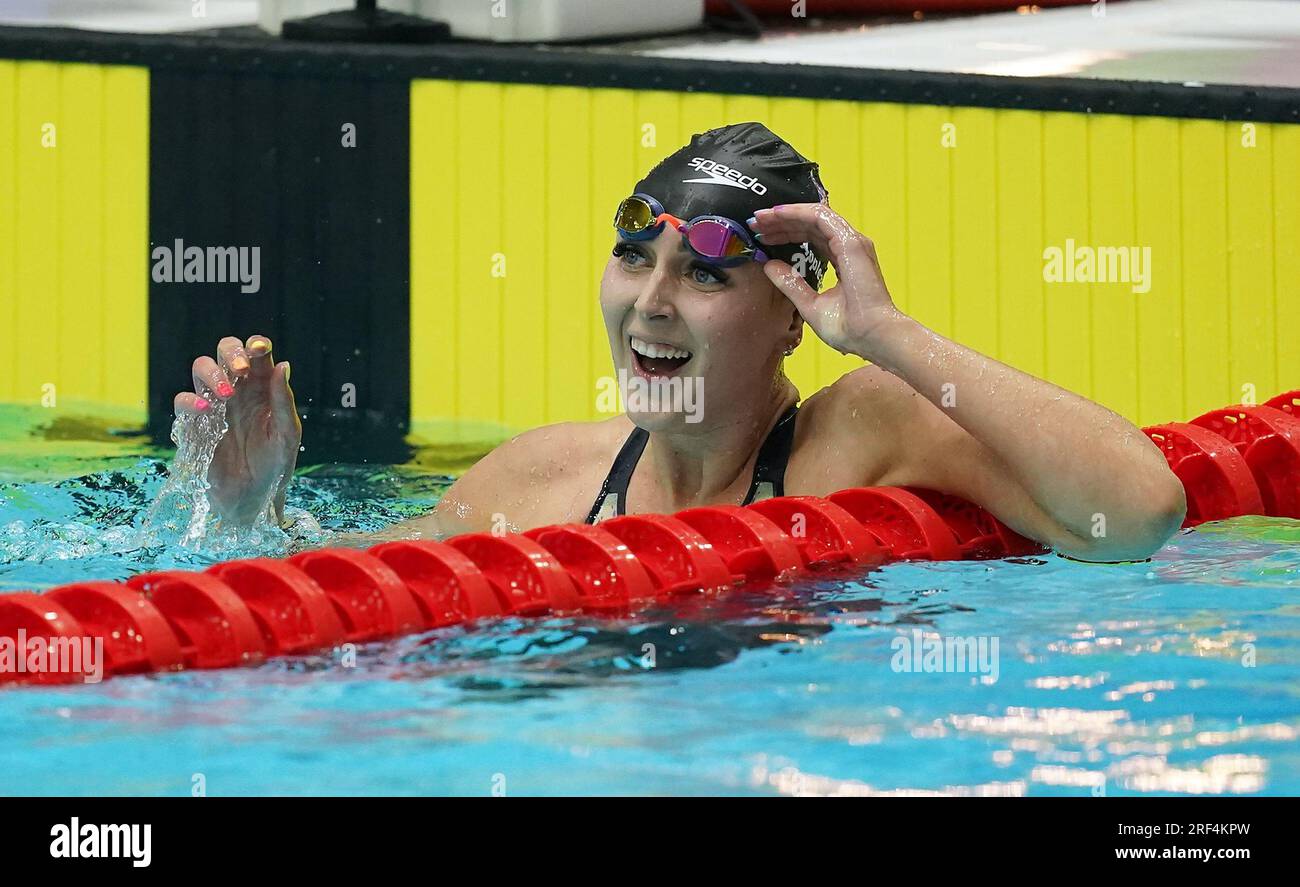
(1050,464)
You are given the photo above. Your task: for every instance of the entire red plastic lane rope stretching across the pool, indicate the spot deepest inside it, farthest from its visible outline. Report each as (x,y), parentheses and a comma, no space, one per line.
(1236,461)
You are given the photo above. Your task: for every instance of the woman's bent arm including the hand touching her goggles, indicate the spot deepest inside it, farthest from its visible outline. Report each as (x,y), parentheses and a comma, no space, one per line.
(1052,465)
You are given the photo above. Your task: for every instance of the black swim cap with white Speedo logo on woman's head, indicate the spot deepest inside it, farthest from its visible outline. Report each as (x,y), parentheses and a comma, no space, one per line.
(733,171)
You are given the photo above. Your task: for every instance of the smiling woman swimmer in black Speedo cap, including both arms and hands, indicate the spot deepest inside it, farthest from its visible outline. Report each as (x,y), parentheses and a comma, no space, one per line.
(713,280)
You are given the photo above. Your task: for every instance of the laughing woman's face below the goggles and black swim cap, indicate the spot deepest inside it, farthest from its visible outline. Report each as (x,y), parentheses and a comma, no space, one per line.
(721,331)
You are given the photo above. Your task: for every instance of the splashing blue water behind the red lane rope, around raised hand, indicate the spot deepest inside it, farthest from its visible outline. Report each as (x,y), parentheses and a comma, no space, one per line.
(112,525)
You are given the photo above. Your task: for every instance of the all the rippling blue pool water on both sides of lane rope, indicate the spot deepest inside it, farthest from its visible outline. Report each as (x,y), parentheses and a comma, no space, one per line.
(1181,676)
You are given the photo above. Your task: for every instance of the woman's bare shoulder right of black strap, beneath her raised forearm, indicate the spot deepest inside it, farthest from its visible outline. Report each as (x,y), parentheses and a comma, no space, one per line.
(850,432)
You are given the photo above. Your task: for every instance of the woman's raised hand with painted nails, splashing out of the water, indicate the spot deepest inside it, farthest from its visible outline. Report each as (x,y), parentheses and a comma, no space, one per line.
(257,457)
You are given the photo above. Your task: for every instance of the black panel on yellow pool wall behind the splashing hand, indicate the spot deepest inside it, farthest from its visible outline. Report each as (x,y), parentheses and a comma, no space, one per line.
(257,161)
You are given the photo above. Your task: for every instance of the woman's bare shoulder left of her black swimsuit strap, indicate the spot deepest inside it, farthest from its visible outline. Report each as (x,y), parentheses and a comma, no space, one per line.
(541,477)
